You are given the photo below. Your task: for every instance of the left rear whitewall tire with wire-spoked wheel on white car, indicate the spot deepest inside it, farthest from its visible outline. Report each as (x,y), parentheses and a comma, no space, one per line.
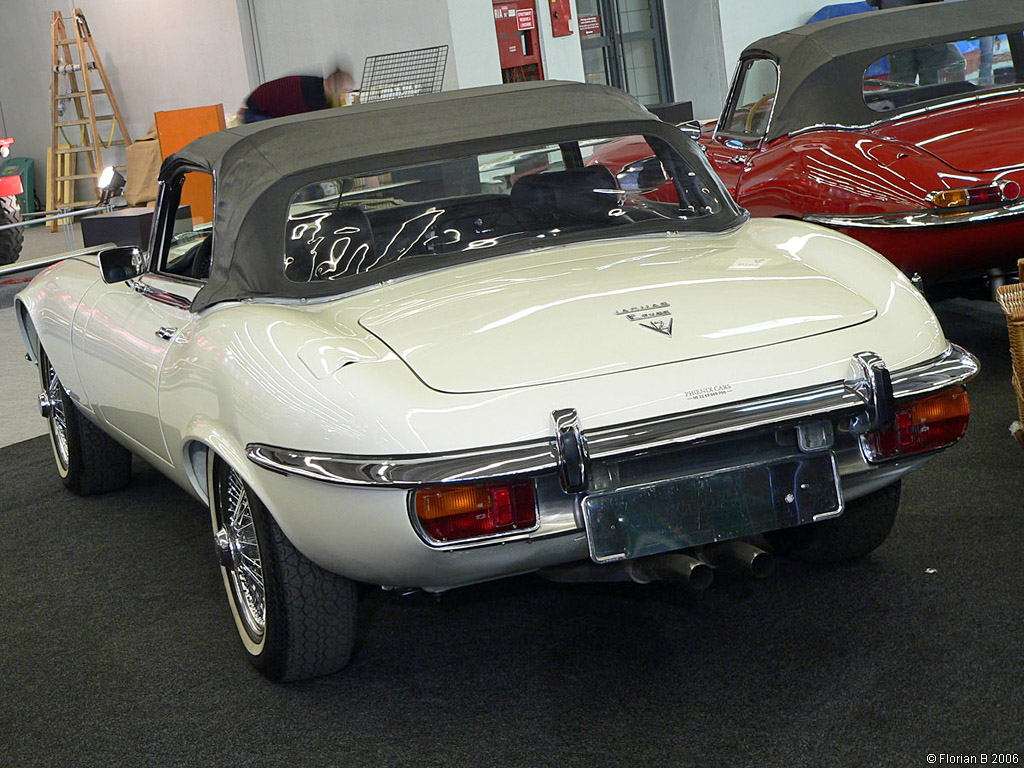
(295,620)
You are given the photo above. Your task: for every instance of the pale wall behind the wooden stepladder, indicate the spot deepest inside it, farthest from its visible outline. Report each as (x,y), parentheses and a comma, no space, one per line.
(159,55)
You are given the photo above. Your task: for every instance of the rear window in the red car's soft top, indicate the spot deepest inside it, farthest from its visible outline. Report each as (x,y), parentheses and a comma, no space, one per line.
(913,76)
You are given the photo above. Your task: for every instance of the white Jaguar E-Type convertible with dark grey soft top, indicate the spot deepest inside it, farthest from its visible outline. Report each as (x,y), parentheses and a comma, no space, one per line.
(428,344)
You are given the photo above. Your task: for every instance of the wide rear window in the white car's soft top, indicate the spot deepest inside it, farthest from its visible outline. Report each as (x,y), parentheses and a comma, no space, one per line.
(490,204)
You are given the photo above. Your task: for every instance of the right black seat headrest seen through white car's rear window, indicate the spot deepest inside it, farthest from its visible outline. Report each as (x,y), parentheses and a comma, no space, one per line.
(565,198)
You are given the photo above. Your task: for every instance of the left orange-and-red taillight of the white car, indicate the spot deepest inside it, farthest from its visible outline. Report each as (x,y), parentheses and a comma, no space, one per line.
(452,515)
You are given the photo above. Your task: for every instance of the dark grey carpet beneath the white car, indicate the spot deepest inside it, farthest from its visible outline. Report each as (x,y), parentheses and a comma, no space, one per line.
(117,647)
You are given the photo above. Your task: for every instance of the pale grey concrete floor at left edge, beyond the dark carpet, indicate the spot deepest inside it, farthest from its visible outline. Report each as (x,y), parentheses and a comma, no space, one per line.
(20,417)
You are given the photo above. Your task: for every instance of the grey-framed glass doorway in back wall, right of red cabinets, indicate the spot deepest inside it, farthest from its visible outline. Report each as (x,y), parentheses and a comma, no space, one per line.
(624,46)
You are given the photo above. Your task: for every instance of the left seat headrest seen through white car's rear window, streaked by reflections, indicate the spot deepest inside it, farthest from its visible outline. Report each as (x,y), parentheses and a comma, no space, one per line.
(328,245)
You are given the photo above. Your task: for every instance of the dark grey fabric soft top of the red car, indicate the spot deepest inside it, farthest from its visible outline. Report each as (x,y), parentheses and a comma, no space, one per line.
(823,65)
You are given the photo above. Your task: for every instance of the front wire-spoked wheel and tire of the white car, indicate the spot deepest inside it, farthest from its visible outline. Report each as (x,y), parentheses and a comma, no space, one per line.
(88,459)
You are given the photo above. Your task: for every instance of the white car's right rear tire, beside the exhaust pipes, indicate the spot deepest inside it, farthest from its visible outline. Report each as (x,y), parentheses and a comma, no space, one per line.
(862,529)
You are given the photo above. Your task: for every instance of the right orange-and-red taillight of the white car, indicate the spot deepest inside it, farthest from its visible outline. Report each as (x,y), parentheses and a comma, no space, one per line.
(930,423)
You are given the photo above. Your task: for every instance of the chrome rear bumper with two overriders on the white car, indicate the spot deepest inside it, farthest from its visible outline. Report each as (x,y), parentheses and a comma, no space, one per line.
(835,401)
